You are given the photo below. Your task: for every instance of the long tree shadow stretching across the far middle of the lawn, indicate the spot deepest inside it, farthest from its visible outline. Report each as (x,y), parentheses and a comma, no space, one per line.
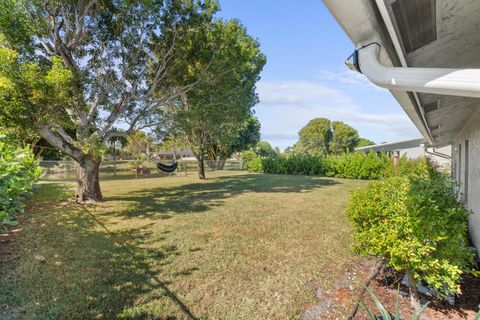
(162,202)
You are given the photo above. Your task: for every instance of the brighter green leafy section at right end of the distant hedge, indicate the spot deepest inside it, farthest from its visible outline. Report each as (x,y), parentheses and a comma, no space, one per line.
(357,165)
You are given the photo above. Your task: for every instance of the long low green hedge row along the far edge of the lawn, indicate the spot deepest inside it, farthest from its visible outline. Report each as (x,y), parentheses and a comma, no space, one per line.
(349,165)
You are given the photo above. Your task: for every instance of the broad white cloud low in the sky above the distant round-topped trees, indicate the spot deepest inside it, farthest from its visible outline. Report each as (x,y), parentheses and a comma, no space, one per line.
(286,106)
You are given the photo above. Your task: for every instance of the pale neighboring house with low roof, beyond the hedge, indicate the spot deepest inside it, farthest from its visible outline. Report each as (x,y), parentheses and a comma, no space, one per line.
(413,149)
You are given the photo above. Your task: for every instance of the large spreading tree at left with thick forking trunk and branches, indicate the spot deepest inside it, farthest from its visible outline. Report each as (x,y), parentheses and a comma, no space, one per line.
(85,66)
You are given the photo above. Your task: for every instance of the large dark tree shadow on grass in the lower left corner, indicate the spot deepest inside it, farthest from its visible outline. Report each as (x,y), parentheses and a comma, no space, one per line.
(89,272)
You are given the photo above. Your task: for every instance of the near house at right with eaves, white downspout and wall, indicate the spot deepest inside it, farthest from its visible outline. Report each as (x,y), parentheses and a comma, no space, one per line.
(426,53)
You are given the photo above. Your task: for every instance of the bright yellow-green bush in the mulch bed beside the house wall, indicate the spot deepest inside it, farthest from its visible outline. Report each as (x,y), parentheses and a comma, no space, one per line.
(413,221)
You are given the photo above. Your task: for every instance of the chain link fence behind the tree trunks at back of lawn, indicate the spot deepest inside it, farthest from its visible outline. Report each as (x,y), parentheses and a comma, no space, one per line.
(65,170)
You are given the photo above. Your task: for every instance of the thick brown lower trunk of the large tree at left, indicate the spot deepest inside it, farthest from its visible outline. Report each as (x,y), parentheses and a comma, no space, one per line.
(88,184)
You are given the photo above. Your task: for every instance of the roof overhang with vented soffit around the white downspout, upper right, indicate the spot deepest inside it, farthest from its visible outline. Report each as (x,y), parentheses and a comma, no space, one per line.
(439,118)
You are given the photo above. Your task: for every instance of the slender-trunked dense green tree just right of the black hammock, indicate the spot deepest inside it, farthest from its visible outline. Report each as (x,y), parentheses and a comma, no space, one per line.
(211,115)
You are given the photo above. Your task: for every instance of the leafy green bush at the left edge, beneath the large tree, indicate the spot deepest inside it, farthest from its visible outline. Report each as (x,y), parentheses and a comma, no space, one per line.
(18,172)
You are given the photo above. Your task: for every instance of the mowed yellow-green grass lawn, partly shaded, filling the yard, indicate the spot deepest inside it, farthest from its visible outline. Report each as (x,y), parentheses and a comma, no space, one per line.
(236,246)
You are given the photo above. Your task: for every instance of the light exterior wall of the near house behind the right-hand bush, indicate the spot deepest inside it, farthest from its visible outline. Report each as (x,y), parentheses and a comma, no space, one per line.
(466,170)
